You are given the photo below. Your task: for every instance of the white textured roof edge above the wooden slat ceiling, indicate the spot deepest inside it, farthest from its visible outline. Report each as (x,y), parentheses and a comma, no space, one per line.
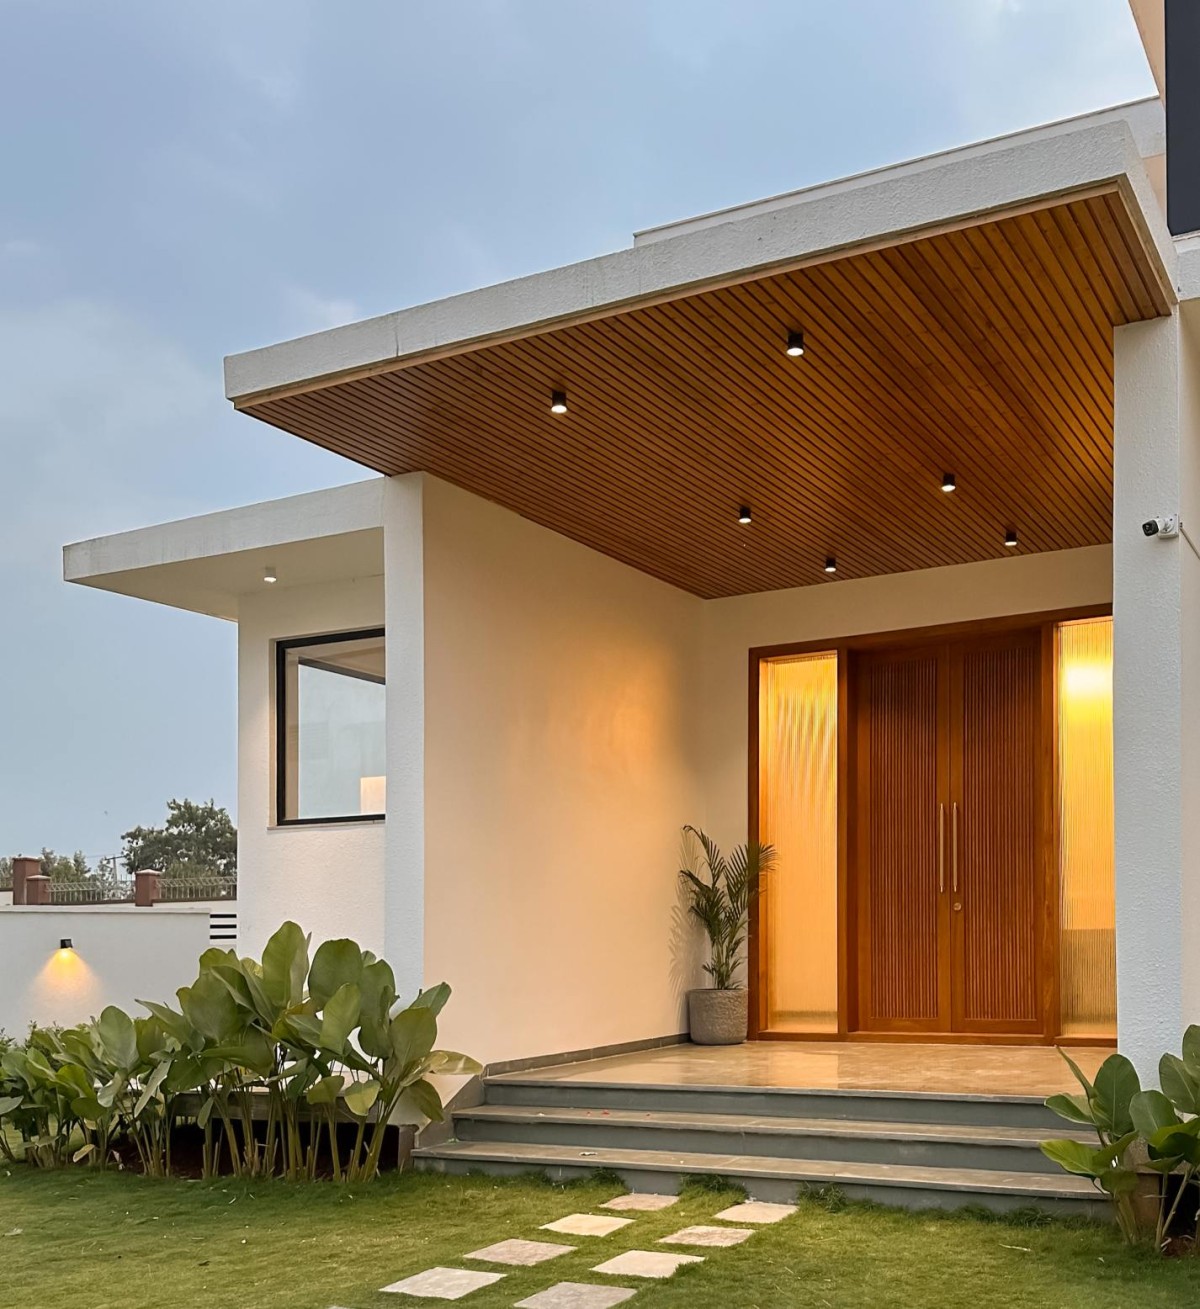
(880,207)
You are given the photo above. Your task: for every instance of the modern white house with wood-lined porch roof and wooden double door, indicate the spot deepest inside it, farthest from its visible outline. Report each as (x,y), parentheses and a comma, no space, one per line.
(822,520)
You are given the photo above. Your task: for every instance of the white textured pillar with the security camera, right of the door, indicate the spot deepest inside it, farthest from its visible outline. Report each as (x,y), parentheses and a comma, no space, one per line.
(1148,694)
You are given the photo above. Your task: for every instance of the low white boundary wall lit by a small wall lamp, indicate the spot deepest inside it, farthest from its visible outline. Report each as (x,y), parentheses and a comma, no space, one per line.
(121,955)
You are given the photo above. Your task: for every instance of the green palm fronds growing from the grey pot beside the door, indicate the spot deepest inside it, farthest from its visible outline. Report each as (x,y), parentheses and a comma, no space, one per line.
(720,893)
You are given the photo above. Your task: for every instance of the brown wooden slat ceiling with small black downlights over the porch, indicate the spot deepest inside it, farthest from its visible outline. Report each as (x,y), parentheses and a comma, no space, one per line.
(985,351)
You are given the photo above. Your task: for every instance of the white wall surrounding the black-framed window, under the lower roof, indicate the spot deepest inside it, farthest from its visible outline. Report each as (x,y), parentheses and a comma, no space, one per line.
(328,878)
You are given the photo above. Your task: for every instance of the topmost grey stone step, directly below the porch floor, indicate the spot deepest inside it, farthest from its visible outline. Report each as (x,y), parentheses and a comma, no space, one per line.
(892,1107)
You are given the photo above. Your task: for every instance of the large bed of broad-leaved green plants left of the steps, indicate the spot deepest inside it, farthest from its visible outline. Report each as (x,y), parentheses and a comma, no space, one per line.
(282,1043)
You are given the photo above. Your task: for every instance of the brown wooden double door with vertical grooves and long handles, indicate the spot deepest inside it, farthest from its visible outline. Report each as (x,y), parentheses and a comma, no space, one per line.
(949,838)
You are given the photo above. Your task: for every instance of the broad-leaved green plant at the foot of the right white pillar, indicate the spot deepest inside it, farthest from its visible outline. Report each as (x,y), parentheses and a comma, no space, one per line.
(1165,1122)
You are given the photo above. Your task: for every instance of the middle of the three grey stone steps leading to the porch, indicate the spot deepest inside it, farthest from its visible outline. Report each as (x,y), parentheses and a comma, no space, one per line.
(850,1141)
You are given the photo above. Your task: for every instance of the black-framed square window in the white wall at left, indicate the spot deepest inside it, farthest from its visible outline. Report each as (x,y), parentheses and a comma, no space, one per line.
(333,717)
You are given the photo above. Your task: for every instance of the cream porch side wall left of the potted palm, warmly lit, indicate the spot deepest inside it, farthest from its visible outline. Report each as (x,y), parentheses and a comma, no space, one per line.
(561,762)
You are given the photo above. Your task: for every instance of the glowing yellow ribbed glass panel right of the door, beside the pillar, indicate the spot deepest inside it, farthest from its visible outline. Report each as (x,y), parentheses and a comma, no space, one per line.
(1088,967)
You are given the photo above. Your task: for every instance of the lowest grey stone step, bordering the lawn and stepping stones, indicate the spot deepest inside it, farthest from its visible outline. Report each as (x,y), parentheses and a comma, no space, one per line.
(778,1180)
